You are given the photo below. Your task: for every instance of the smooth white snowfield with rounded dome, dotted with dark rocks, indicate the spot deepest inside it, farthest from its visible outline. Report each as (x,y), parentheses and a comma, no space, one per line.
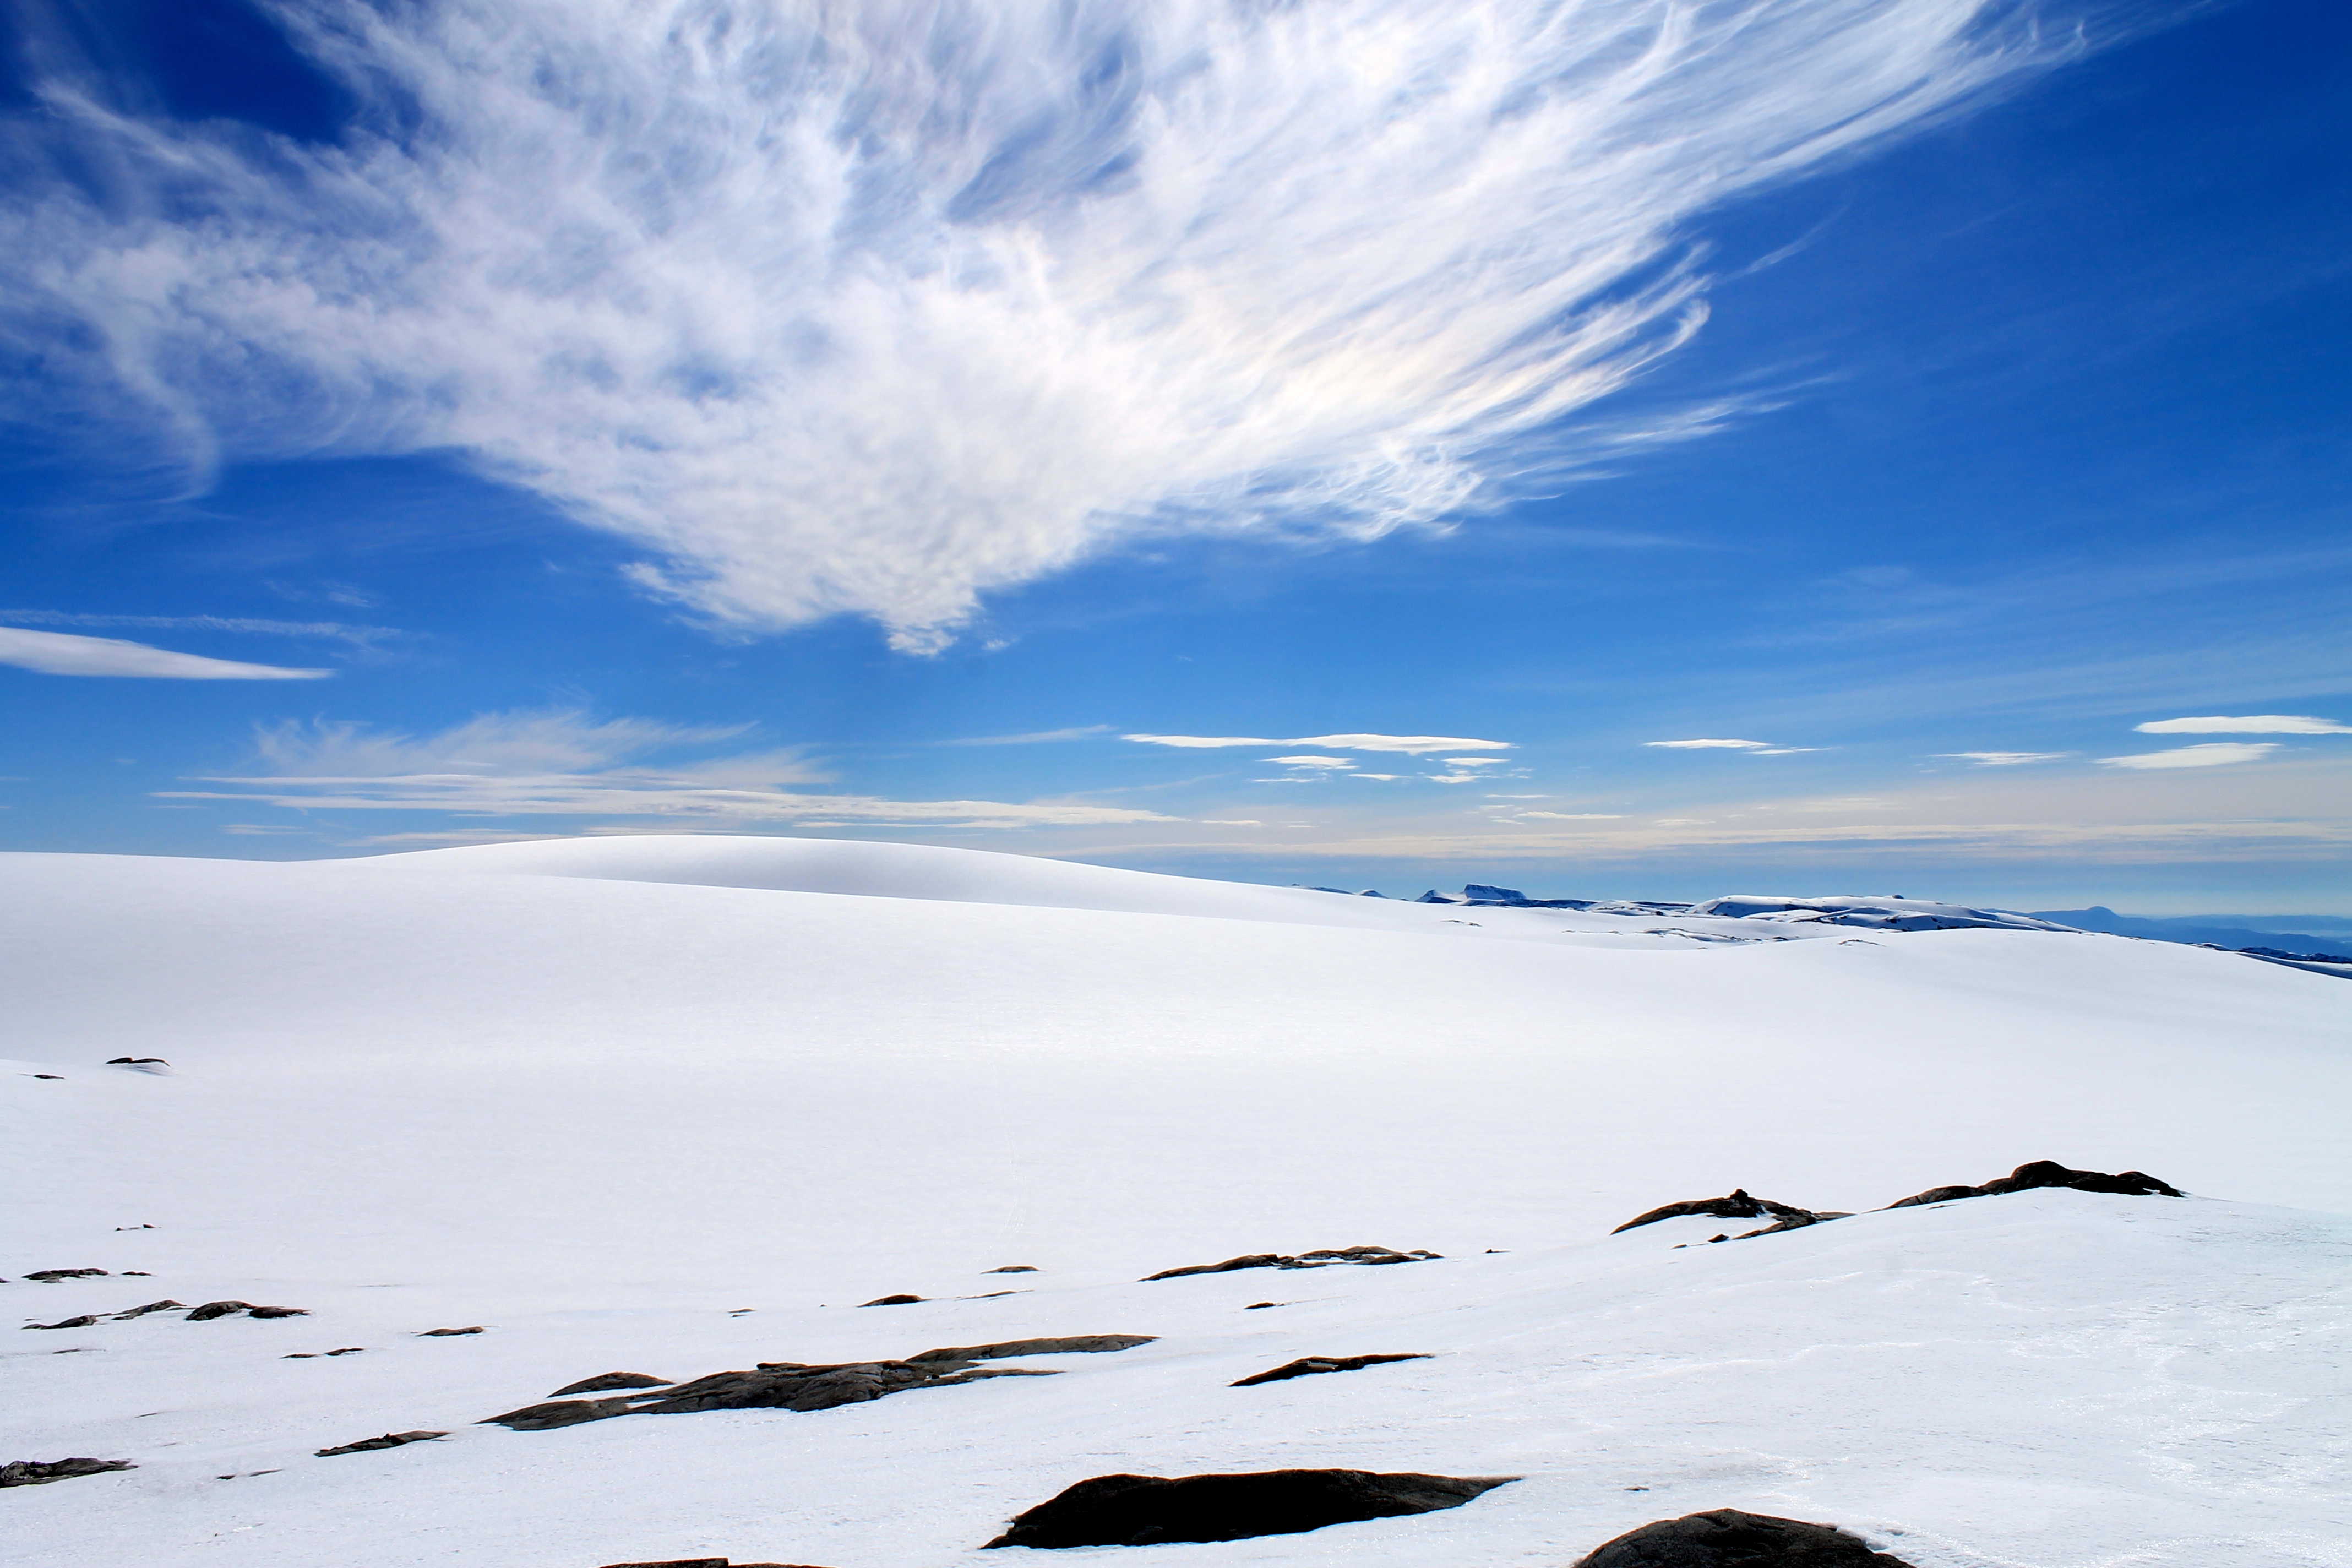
(624,1118)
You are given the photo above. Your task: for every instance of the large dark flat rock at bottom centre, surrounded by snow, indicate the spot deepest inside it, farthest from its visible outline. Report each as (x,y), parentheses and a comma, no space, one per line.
(1156,1510)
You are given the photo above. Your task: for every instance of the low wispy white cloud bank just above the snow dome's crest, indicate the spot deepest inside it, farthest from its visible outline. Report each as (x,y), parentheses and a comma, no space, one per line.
(570,765)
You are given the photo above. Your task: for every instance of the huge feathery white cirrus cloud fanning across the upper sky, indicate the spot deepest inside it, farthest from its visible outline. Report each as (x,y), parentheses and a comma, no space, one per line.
(878,307)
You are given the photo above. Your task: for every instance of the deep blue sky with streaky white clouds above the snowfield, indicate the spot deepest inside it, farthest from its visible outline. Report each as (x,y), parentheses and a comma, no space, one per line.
(455,422)
